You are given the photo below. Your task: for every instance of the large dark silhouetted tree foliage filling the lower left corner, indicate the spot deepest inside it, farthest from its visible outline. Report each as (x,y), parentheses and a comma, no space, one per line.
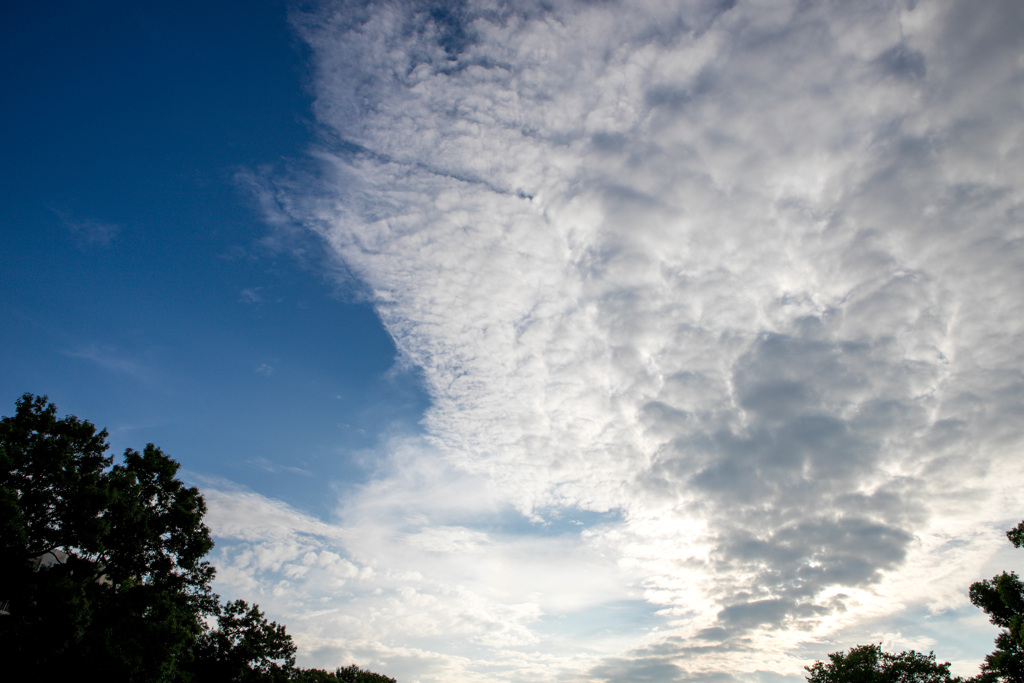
(102,568)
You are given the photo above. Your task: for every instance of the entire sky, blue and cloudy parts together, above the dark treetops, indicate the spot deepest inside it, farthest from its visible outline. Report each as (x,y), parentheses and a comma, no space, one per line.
(608,340)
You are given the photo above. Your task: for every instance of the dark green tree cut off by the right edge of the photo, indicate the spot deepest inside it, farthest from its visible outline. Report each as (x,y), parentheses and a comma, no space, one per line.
(1003,600)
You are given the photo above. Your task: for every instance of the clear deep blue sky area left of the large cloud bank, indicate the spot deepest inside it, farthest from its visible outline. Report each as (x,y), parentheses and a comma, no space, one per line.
(143,289)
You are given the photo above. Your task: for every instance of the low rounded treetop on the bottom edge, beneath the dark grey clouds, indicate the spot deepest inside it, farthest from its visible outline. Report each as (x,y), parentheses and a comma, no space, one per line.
(870,664)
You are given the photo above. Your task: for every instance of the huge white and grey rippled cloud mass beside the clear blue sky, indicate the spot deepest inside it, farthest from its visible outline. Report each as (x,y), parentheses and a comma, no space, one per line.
(738,285)
